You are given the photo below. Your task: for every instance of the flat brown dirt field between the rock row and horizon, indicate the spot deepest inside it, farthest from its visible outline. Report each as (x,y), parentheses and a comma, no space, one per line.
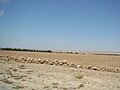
(81,59)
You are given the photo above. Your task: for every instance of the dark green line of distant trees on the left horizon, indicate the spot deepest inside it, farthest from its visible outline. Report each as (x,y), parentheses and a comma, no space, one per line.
(29,50)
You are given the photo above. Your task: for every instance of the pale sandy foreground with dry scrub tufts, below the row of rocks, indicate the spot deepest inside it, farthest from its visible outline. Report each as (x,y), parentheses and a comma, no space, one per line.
(46,77)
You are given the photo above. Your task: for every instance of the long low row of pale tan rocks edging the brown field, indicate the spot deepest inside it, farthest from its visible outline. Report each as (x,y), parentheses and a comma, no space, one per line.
(55,62)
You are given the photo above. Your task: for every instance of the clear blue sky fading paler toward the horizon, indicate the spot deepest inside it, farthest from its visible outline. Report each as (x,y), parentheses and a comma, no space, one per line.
(73,25)
